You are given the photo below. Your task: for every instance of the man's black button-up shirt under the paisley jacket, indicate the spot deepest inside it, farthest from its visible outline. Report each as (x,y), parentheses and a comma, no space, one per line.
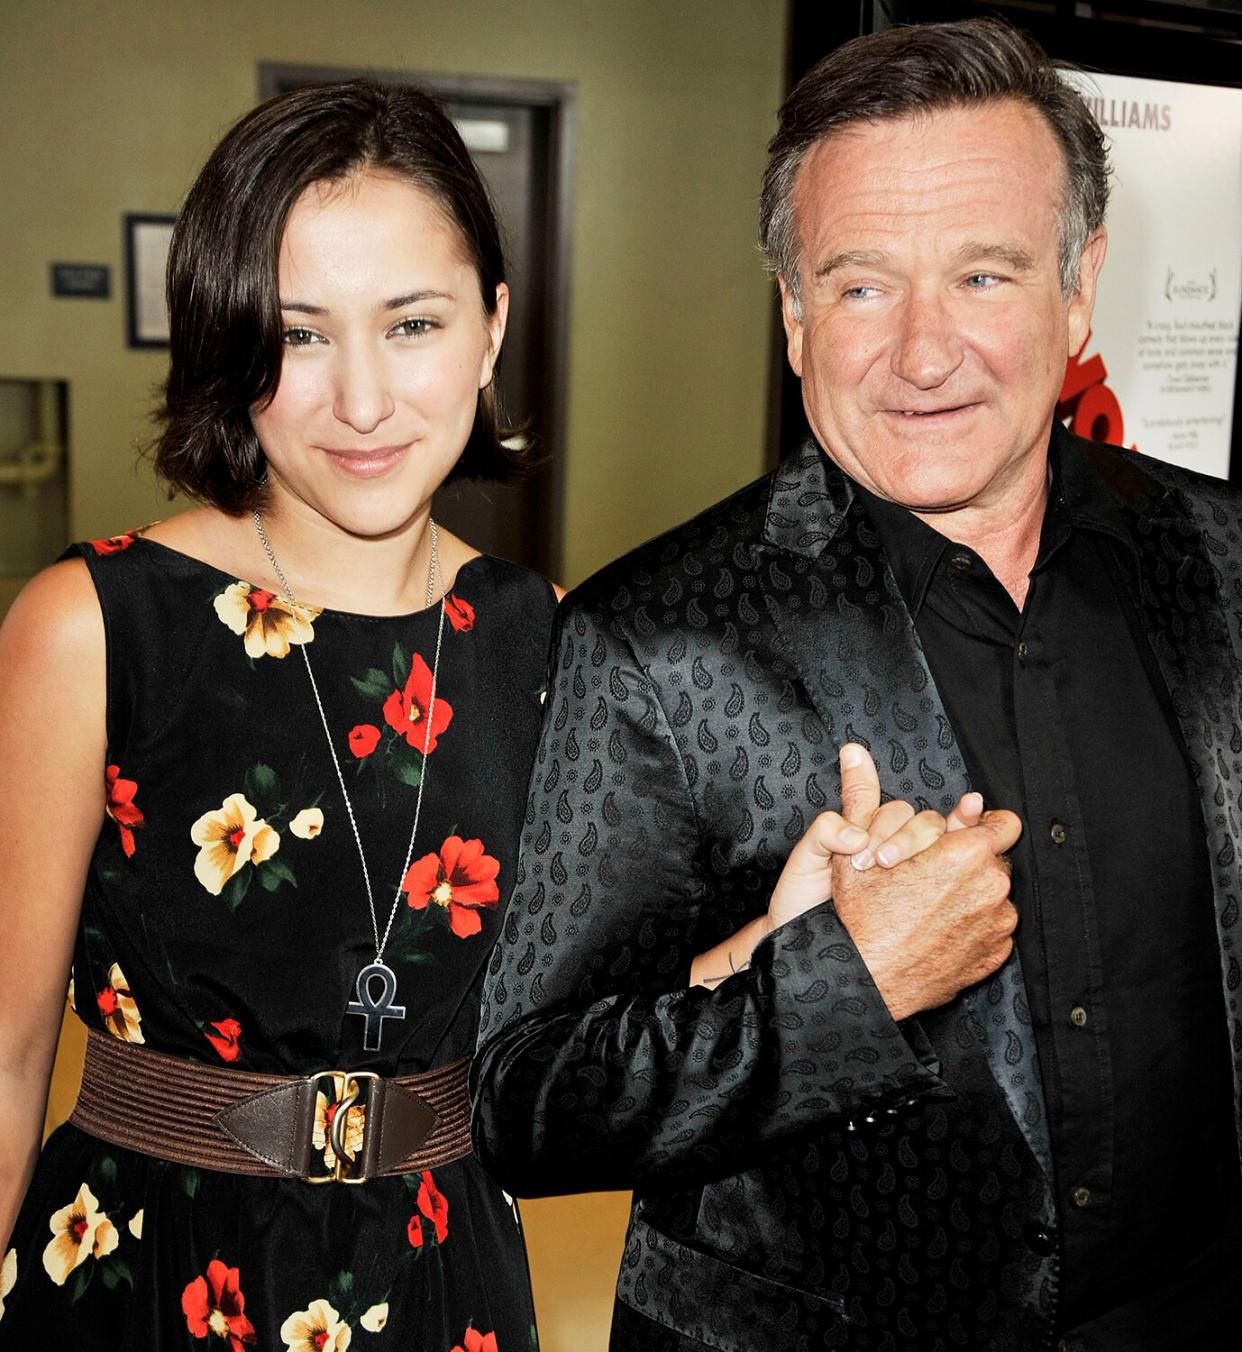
(1064,719)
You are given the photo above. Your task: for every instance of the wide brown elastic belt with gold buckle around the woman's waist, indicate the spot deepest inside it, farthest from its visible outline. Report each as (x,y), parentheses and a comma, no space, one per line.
(272,1126)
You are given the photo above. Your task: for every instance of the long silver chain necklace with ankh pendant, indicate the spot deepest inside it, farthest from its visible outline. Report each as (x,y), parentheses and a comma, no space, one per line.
(366,1005)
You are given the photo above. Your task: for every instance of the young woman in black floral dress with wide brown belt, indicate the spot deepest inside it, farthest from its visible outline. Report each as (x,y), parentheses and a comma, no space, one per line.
(267,766)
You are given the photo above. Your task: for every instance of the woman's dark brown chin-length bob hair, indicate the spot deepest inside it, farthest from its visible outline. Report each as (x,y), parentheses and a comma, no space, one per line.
(222,272)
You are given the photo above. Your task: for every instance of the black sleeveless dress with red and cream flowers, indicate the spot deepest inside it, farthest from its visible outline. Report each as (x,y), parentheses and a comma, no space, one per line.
(225,921)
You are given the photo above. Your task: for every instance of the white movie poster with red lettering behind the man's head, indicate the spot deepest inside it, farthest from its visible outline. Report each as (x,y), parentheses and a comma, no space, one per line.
(1158,372)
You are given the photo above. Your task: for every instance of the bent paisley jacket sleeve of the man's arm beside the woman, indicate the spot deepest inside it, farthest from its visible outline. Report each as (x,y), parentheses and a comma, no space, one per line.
(598,1066)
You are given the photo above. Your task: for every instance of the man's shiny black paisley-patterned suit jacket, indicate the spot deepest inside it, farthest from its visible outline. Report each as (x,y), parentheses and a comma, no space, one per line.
(806,1173)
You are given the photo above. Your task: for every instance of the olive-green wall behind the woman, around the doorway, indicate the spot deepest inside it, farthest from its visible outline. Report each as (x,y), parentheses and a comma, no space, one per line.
(110,107)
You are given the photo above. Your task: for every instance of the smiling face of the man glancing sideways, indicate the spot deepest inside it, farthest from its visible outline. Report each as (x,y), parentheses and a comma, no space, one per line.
(935,333)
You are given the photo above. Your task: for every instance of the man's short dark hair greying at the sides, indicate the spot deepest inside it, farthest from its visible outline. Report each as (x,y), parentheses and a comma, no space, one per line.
(908,72)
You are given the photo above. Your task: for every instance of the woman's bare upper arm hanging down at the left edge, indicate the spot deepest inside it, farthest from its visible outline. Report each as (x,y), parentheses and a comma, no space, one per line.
(52,758)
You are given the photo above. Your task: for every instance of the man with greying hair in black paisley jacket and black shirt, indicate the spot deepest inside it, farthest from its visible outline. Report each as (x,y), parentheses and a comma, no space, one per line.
(860,1103)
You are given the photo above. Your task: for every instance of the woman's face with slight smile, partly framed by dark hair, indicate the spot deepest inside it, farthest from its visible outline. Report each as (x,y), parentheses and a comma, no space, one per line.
(387,347)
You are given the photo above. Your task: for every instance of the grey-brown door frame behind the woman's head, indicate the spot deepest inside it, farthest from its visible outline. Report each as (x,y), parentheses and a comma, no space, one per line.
(557,99)
